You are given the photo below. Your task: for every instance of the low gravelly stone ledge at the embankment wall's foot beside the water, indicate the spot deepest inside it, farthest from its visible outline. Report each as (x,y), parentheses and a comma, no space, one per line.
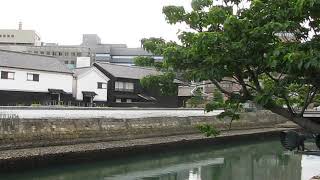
(12,160)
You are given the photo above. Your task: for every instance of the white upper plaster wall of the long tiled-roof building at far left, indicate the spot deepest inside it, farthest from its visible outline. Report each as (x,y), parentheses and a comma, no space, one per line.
(47,80)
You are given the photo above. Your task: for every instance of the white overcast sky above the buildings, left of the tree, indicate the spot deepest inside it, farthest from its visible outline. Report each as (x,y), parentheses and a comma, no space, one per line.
(115,21)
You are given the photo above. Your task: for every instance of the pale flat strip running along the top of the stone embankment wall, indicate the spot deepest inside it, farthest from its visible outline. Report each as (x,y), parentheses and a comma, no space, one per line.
(115,113)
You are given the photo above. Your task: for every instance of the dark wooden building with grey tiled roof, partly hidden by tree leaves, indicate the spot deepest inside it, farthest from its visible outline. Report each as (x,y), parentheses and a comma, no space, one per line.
(124,88)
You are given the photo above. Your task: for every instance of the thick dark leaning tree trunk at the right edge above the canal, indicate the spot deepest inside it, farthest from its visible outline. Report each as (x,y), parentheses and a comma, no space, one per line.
(306,123)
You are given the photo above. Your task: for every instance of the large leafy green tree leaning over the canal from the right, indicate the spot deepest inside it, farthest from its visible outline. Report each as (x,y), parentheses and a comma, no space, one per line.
(270,48)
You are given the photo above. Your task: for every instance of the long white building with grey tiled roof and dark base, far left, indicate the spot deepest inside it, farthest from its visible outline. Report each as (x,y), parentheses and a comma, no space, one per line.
(33,79)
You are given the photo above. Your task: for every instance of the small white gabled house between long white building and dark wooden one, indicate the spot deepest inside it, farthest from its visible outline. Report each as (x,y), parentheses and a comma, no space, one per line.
(90,85)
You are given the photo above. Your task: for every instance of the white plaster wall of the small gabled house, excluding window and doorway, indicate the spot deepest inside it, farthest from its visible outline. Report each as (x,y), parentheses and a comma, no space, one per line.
(89,82)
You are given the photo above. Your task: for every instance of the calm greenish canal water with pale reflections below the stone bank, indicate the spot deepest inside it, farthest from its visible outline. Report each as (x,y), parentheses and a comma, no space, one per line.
(245,161)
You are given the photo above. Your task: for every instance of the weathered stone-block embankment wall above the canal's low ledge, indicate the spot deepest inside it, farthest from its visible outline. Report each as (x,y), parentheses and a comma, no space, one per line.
(21,133)
